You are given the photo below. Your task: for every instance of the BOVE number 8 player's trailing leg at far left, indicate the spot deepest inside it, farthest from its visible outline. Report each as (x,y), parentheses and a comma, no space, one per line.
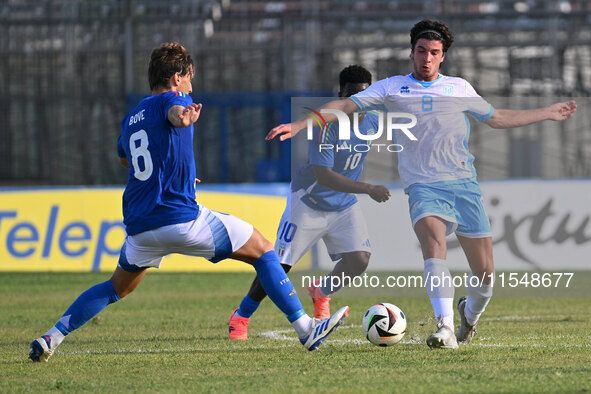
(89,304)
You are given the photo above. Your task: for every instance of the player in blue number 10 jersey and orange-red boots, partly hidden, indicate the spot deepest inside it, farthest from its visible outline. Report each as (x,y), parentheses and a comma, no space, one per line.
(323,206)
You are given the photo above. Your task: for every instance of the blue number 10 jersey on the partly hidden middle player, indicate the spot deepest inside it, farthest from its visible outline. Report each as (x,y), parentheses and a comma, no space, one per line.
(343,156)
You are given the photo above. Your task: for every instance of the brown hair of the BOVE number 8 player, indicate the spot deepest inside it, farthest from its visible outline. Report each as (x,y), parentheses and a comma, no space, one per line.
(165,61)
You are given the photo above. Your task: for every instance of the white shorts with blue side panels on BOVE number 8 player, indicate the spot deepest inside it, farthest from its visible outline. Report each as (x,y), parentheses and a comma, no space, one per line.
(213,235)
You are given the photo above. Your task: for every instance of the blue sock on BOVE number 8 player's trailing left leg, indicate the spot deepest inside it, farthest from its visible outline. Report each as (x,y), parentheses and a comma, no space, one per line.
(87,306)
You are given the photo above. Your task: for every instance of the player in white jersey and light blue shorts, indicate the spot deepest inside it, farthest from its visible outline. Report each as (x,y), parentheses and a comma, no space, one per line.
(437,171)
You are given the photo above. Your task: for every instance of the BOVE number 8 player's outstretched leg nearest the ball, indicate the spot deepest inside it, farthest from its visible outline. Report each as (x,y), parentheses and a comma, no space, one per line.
(259,252)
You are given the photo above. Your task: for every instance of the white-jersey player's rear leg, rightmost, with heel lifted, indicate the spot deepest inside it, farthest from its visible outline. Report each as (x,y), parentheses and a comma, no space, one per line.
(479,287)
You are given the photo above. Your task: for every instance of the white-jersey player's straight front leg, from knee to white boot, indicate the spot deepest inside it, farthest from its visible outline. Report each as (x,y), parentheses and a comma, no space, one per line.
(431,232)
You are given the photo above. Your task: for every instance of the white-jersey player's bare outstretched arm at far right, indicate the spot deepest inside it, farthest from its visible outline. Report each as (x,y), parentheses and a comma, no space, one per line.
(508,118)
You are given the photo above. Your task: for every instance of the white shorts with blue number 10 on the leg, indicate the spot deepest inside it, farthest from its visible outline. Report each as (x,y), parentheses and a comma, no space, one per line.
(301,227)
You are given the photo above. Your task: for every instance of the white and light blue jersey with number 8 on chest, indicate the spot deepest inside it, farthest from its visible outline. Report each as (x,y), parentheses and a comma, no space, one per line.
(442,130)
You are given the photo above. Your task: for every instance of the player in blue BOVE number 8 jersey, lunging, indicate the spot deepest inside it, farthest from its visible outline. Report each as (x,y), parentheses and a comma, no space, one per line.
(162,217)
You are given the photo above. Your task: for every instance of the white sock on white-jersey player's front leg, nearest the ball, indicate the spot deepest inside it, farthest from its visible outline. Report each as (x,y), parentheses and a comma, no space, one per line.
(440,289)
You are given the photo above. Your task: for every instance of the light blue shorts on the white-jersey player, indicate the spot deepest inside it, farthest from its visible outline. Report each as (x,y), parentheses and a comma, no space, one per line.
(459,203)
